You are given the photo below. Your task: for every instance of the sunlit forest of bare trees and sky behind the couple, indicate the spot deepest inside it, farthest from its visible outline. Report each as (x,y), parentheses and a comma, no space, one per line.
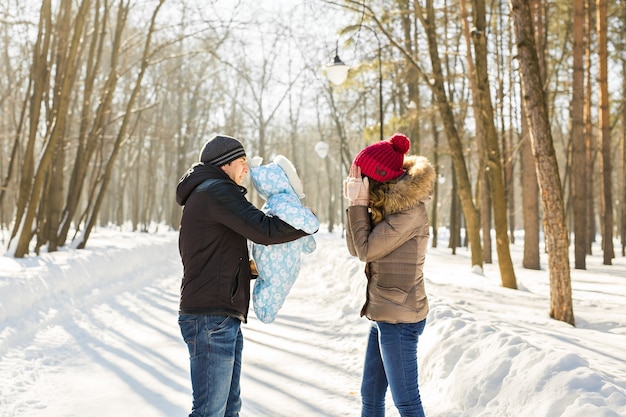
(519,105)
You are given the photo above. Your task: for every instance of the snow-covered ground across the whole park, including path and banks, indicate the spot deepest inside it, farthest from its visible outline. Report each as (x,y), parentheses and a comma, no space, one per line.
(94,333)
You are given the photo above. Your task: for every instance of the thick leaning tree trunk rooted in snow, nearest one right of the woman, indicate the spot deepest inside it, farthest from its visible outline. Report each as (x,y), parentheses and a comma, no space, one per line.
(557,242)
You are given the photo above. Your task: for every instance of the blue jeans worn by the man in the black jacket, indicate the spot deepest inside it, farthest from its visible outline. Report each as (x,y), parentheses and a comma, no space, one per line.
(215,344)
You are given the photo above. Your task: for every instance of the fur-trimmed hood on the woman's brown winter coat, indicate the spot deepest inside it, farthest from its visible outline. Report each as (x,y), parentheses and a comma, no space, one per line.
(414,187)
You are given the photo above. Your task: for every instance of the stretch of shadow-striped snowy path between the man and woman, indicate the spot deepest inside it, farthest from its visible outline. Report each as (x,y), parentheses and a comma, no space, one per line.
(307,361)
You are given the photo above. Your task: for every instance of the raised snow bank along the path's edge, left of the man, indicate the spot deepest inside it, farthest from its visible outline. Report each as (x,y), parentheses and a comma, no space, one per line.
(35,285)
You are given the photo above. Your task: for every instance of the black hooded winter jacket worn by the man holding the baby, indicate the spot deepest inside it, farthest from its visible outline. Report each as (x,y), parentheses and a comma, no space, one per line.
(216,224)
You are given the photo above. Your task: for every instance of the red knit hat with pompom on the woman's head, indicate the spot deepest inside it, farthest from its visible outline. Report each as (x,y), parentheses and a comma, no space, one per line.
(382,161)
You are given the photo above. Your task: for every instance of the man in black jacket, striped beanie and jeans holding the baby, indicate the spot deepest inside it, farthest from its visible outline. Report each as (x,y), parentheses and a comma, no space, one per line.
(216,224)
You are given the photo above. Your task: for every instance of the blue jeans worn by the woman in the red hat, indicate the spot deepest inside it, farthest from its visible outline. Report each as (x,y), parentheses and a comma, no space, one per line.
(391,361)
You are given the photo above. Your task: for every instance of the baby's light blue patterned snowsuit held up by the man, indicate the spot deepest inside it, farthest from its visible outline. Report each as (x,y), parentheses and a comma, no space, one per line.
(279,265)
